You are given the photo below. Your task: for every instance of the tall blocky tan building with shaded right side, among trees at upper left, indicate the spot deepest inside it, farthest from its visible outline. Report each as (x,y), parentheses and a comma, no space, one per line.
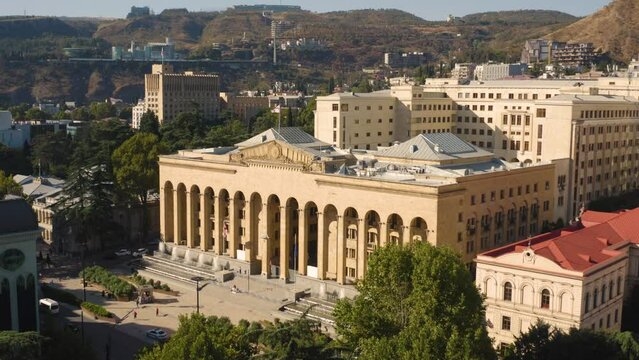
(168,94)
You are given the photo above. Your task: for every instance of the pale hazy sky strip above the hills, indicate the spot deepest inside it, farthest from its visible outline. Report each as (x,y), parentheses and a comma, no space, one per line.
(427,9)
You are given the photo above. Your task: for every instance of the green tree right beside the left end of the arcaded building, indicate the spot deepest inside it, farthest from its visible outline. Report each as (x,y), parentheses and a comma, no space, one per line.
(135,166)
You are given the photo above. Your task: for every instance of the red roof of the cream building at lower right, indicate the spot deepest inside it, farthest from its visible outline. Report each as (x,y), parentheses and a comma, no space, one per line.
(584,245)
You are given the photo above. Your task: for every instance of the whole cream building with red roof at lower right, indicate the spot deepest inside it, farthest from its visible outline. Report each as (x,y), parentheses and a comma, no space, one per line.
(574,277)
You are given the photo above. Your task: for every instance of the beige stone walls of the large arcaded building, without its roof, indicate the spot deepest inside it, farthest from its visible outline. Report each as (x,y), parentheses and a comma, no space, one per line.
(262,204)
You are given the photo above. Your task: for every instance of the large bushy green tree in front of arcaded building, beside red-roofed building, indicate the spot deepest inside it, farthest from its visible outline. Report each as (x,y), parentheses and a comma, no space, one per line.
(415,302)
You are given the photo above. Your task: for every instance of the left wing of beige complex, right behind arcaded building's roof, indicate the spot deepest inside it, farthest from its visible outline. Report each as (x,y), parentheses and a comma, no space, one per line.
(378,119)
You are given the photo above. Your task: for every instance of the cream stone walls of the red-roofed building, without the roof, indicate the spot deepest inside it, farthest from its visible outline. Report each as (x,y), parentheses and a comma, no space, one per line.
(529,277)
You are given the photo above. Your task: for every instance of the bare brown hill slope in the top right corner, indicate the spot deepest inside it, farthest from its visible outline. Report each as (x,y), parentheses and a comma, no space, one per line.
(614,29)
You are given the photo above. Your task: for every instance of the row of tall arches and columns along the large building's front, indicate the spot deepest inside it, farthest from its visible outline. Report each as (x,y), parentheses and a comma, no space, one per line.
(285,235)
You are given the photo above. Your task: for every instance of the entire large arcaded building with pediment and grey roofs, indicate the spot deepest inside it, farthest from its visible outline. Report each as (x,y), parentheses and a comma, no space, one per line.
(221,206)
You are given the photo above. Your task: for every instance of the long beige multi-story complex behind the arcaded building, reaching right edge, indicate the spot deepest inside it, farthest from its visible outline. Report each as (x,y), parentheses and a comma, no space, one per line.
(524,121)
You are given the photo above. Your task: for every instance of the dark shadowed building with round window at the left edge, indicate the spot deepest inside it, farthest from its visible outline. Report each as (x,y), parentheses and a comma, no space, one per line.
(18,270)
